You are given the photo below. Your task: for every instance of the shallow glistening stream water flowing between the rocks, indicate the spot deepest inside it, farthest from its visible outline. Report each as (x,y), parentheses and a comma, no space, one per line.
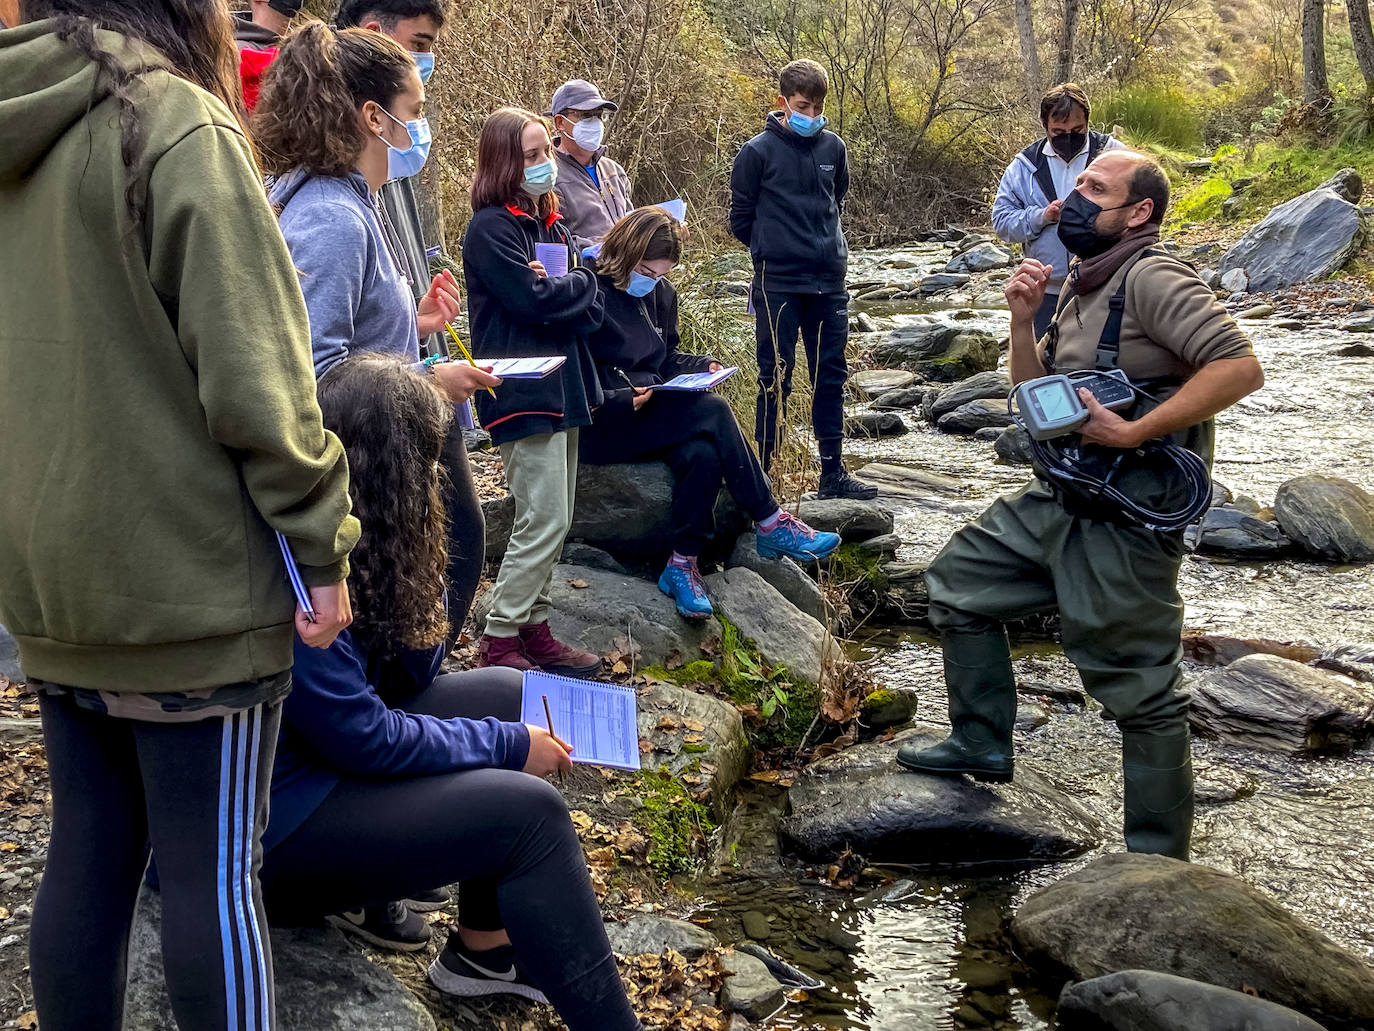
(930,952)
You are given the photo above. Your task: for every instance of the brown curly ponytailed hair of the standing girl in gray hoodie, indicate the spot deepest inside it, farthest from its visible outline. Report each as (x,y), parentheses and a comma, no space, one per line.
(307,113)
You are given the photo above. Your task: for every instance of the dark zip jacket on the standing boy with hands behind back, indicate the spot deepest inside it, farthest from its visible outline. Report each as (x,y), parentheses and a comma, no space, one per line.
(785,199)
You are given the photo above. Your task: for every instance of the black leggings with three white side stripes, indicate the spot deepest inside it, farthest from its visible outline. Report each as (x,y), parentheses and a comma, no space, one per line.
(197,792)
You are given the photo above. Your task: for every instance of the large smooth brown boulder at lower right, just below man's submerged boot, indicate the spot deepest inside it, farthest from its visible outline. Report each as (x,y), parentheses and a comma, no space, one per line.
(1127,911)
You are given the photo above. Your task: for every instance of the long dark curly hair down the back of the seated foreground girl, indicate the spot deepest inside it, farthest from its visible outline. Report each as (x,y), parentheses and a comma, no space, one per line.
(392,424)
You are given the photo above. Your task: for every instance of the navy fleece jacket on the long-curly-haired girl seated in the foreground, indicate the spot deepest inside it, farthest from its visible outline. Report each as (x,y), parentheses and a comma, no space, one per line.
(336,725)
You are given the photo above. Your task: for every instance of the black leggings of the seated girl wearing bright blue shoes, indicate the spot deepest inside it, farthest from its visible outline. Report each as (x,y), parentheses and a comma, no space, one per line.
(700,441)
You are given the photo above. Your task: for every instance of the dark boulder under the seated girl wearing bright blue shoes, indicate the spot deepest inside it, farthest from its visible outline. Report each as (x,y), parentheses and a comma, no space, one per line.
(622,509)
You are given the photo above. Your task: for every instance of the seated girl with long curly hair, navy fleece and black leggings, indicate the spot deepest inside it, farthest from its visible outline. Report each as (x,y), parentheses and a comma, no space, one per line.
(394,779)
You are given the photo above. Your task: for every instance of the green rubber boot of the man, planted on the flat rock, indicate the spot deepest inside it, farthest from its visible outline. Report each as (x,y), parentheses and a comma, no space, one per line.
(983,710)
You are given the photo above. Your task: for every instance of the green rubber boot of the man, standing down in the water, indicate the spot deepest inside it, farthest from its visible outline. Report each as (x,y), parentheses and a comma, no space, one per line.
(1159,794)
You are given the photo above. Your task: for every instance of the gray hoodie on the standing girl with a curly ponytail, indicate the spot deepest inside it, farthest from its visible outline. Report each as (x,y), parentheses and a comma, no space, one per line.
(351,273)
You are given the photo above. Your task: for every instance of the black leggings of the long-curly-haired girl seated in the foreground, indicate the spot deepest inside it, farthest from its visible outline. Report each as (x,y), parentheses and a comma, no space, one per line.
(504,835)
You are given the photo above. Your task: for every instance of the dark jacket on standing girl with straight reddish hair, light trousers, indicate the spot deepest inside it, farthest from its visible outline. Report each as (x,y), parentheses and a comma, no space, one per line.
(517,314)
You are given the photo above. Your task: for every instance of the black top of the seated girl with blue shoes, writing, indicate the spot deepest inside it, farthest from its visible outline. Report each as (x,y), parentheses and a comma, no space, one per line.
(637,343)
